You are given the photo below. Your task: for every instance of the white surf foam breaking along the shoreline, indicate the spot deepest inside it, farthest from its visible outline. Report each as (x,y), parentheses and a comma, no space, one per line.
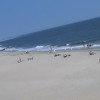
(47,48)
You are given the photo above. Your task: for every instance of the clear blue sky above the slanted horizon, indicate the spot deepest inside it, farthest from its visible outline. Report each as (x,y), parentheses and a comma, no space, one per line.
(18,17)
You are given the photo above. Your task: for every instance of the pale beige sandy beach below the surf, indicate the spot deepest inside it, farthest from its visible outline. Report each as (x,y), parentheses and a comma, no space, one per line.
(45,77)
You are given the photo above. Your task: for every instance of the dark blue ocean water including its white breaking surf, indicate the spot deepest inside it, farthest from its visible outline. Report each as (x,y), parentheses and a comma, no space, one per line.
(60,38)
